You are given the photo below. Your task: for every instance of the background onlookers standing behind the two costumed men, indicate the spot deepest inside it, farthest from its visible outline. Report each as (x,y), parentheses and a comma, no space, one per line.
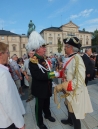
(19,67)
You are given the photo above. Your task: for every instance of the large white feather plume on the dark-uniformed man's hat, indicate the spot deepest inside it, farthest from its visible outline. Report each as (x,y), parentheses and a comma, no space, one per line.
(35,41)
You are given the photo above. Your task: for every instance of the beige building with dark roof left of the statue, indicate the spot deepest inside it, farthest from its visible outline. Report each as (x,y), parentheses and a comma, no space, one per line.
(16,42)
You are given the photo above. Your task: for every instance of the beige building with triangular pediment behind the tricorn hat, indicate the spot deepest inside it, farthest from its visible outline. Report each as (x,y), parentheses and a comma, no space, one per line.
(52,34)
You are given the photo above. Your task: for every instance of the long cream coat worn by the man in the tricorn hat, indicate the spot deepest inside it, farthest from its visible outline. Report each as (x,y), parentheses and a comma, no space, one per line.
(80,102)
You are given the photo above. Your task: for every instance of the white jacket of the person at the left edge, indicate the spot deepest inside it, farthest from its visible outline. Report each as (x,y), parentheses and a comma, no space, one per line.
(11,107)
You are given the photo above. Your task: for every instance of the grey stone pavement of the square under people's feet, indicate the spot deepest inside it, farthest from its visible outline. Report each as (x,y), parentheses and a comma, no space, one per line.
(90,122)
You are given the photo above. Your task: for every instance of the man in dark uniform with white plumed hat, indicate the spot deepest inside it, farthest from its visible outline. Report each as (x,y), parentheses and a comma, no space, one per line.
(41,79)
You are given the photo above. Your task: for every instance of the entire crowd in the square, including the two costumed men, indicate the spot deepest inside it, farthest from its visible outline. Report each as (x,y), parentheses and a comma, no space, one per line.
(37,71)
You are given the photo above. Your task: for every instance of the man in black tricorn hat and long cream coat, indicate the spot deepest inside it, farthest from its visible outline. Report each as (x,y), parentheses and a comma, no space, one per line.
(76,95)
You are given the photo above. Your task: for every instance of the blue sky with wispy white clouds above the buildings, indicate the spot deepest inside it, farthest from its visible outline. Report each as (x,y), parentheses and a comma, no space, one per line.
(16,14)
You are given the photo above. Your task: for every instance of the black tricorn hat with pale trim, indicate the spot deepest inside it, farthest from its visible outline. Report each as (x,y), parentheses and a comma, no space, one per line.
(74,41)
